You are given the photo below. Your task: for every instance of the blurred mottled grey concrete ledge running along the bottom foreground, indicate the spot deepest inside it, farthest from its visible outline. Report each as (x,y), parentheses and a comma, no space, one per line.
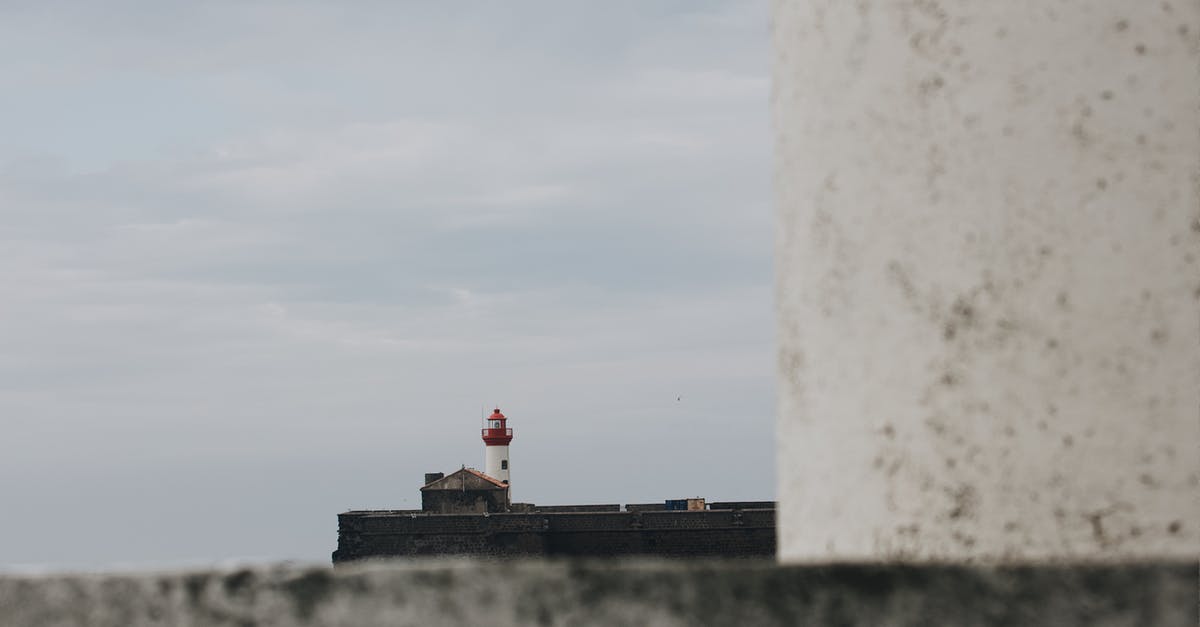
(627,594)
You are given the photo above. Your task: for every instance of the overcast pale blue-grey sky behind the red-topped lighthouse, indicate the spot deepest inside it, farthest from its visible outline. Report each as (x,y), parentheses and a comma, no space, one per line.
(265,262)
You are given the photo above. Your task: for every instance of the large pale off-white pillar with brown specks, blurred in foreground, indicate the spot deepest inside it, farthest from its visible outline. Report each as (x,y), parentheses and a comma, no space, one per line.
(988,279)
